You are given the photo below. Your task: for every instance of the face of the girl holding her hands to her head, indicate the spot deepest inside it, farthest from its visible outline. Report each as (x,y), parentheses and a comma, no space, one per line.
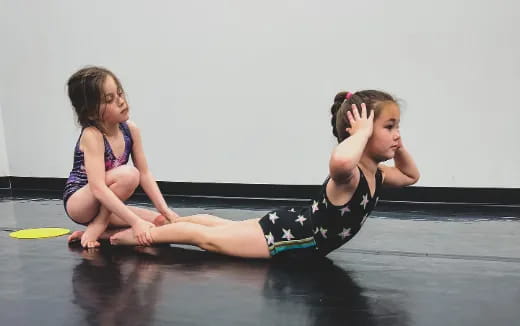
(386,137)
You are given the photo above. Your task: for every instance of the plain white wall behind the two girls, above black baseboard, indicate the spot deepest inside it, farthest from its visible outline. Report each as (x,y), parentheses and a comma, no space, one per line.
(239,91)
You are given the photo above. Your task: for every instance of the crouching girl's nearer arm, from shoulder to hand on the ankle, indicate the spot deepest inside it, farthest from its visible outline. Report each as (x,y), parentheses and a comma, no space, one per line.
(93,149)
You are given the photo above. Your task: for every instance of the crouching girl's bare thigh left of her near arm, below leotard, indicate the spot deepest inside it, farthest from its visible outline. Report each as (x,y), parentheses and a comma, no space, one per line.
(82,206)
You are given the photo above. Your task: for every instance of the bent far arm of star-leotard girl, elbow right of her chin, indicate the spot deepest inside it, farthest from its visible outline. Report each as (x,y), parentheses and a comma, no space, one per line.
(404,173)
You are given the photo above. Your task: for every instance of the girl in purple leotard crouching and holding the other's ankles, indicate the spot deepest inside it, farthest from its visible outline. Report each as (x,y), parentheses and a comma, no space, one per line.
(101,179)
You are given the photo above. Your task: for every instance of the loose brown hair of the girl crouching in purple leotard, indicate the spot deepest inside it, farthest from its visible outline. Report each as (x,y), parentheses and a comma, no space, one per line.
(85,88)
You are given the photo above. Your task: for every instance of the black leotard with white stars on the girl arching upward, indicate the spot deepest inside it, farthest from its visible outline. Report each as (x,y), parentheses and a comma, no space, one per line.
(320,227)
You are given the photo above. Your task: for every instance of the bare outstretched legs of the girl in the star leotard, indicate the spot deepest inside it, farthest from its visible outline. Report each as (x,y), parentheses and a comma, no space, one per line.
(241,239)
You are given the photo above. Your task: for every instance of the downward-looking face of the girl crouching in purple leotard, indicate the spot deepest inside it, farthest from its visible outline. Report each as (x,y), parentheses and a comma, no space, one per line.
(114,108)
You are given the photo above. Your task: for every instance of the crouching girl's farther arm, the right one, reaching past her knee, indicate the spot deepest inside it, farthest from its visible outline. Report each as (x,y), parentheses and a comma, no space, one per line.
(147,180)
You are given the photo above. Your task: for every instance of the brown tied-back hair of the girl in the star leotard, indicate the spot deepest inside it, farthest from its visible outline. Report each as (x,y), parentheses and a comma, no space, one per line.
(374,101)
